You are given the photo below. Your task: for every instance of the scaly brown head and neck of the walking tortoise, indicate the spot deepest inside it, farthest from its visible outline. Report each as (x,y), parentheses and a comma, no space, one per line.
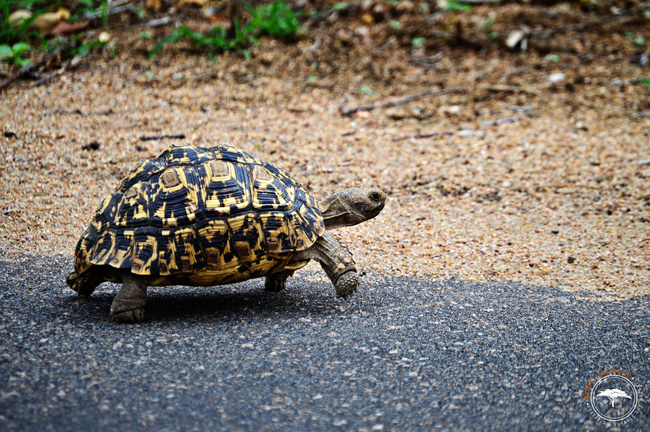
(351,206)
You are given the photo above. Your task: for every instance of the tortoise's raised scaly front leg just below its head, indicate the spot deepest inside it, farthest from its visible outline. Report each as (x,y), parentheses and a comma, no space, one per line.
(337,262)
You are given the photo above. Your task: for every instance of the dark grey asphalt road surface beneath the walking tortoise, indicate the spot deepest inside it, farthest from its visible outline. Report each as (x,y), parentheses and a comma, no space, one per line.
(403,354)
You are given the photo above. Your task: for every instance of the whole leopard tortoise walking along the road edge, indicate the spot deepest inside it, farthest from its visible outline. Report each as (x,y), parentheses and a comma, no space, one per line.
(212,216)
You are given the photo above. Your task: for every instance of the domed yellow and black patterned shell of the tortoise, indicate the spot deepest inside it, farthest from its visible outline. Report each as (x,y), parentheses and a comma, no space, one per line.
(194,208)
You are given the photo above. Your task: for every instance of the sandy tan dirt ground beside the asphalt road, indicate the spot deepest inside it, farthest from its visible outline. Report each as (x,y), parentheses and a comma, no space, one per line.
(536,175)
